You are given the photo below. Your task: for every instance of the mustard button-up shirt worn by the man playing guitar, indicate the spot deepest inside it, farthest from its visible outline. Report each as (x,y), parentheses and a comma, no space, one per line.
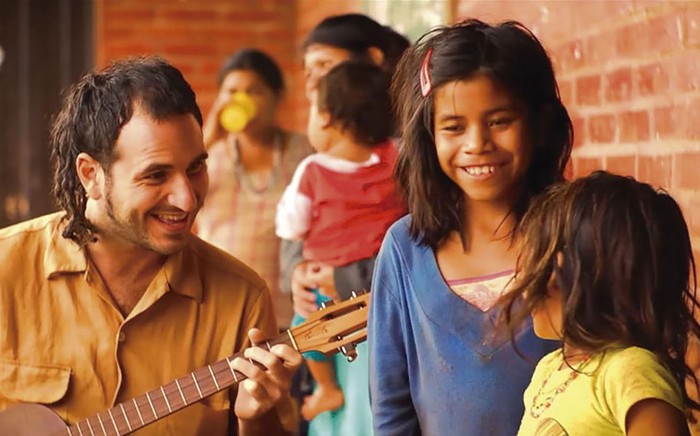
(65,344)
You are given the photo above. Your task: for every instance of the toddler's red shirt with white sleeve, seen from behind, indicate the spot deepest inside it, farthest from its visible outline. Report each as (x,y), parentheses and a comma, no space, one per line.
(341,209)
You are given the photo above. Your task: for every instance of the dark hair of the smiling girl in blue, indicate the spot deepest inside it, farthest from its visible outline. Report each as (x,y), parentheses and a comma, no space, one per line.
(511,55)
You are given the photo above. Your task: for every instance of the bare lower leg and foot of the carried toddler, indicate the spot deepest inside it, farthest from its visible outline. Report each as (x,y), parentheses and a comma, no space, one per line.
(327,396)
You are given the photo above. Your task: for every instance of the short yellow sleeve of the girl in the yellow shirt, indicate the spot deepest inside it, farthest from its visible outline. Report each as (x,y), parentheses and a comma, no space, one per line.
(636,374)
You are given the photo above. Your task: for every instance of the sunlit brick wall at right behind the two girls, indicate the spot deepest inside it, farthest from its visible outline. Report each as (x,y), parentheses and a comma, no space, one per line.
(629,73)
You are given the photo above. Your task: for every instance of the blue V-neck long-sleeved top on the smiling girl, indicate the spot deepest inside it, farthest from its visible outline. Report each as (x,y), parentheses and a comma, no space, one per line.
(435,366)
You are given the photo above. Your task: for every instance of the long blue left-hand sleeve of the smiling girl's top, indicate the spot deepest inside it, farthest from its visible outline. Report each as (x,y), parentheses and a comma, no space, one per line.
(392,407)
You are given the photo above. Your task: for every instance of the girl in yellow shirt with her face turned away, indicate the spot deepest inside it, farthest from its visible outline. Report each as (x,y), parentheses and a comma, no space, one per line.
(605,268)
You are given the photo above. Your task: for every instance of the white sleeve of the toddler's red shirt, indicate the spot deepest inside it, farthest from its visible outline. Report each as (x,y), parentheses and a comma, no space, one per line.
(293,217)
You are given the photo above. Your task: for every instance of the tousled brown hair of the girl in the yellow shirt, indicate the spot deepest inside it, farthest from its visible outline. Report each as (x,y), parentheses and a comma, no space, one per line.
(621,256)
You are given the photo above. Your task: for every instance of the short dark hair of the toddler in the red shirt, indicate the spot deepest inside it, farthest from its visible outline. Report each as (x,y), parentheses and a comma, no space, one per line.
(356,95)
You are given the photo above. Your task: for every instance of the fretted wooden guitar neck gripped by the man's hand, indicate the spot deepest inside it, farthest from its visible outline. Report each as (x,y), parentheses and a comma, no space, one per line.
(145,409)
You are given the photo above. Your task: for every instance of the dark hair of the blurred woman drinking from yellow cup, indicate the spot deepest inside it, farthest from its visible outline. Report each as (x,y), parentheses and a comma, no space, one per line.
(258,62)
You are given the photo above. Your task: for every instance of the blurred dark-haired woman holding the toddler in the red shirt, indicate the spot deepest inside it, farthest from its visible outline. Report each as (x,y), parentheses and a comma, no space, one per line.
(336,39)
